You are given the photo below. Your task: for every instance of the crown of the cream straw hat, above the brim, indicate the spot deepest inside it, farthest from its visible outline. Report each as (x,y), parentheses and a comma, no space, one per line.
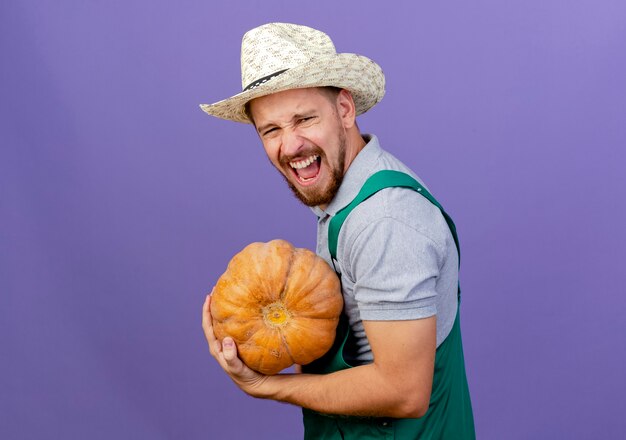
(276,47)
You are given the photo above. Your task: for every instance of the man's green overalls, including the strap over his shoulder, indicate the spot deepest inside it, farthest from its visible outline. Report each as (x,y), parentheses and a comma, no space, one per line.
(450,413)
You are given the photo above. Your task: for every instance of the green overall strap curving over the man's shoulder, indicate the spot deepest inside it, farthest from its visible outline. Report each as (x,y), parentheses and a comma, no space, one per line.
(377,181)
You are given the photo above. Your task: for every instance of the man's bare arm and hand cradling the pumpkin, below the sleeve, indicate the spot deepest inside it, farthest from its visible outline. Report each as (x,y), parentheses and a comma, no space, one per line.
(397,384)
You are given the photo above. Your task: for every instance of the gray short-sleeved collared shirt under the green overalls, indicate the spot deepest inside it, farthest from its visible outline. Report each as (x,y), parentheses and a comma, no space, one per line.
(395,254)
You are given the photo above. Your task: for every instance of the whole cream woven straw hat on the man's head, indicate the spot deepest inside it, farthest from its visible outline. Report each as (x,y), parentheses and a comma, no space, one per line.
(282,56)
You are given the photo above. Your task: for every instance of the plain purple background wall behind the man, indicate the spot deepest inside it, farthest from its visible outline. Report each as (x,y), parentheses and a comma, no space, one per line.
(121,203)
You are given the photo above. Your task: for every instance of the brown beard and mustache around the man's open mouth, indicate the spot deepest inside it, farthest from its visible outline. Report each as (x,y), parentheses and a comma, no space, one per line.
(321,196)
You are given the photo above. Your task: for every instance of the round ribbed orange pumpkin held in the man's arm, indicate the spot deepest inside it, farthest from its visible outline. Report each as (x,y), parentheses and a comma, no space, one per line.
(280,304)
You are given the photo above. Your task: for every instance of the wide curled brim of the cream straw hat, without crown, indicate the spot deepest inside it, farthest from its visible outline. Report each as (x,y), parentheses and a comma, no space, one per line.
(358,74)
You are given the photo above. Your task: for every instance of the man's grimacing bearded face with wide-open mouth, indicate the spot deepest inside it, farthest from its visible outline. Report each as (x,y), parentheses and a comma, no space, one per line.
(304,138)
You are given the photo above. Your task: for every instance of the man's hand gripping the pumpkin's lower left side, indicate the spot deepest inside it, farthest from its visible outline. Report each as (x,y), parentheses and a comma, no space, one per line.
(225,352)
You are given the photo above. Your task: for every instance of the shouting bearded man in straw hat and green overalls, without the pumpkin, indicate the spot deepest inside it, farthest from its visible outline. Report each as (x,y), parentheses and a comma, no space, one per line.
(401,372)
